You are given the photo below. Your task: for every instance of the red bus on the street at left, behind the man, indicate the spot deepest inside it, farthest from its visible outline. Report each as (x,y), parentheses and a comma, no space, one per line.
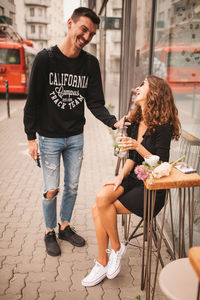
(16,58)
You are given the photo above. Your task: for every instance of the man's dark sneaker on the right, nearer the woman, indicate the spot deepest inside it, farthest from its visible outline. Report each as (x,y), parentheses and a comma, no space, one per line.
(70,235)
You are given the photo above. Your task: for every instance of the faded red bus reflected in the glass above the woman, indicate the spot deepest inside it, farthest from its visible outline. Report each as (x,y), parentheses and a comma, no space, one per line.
(179,65)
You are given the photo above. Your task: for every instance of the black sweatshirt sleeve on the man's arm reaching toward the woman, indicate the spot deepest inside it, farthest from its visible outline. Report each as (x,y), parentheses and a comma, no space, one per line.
(95,97)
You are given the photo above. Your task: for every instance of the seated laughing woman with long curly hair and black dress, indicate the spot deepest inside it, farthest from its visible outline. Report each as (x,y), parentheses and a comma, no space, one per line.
(154,122)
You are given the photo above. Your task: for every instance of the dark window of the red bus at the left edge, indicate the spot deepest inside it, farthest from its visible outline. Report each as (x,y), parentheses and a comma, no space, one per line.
(9,56)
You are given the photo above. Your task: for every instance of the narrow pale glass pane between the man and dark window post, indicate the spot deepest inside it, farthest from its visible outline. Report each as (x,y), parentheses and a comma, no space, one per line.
(110,52)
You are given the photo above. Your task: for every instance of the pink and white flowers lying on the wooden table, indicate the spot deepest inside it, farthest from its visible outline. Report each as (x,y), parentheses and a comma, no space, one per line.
(145,171)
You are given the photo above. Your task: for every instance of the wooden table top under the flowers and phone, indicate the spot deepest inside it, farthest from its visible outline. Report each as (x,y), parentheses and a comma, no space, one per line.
(176,179)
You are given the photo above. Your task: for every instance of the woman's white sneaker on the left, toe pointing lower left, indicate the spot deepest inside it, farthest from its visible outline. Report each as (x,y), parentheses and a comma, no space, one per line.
(97,274)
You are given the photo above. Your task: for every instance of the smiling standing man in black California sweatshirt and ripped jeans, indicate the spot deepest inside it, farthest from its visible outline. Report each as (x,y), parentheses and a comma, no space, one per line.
(62,79)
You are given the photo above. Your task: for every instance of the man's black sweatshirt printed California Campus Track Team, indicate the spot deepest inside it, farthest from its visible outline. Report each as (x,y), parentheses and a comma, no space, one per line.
(58,88)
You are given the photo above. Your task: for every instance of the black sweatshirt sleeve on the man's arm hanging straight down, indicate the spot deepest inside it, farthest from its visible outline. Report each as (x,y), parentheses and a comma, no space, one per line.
(38,79)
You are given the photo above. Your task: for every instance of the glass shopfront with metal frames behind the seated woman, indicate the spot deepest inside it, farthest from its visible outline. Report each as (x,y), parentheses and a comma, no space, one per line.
(160,37)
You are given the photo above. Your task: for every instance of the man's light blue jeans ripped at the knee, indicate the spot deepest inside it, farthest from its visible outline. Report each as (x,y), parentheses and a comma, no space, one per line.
(51,151)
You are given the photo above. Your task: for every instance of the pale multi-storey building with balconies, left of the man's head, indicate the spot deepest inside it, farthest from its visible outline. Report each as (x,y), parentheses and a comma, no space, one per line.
(41,21)
